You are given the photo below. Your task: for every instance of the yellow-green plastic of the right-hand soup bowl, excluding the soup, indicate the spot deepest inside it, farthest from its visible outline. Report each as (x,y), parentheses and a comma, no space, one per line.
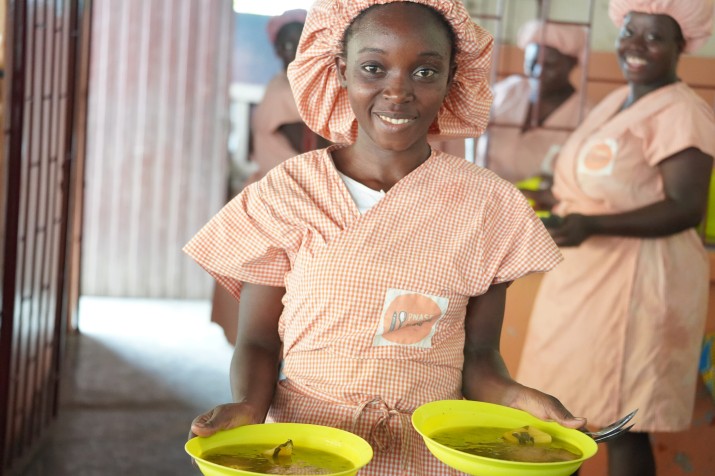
(441,415)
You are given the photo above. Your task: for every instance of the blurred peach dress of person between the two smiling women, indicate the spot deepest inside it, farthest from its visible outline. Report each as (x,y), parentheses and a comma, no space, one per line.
(515,155)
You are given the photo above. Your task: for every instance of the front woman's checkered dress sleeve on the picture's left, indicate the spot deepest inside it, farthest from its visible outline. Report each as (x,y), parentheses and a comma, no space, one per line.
(244,242)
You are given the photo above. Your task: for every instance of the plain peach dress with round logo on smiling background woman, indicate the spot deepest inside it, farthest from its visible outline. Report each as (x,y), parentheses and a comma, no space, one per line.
(619,324)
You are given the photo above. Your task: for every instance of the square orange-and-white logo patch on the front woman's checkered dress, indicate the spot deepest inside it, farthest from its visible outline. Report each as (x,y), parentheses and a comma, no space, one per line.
(409,318)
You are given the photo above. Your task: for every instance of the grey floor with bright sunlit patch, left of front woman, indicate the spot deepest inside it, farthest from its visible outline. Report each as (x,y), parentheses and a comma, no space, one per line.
(137,375)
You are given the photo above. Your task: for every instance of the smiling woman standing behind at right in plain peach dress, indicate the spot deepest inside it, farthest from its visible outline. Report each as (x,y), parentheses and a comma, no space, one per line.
(626,309)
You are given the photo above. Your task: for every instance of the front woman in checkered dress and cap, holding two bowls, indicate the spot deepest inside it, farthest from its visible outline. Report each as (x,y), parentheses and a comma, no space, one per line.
(379,265)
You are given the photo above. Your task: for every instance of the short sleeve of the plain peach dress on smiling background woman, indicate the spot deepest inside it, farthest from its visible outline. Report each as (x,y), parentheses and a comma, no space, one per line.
(695,128)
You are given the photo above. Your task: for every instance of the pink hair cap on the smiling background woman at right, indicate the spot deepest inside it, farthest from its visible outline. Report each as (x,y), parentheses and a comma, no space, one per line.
(695,17)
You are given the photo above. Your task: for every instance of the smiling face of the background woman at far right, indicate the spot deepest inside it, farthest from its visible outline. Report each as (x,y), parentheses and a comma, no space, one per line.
(648,48)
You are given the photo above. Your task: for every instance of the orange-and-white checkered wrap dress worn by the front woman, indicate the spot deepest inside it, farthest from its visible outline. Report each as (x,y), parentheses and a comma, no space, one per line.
(373,319)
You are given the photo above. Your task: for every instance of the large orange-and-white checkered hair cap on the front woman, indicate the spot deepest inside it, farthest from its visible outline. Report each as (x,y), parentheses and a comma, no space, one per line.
(324,104)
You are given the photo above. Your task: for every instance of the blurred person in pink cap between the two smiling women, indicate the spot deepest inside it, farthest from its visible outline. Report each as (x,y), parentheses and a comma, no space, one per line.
(517,148)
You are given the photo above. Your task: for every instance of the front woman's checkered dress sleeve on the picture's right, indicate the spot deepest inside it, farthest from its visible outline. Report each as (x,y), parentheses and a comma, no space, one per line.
(514,241)
